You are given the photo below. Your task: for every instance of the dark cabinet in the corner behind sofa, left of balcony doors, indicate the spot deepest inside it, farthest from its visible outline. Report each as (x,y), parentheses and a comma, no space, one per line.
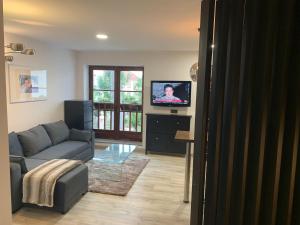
(79,114)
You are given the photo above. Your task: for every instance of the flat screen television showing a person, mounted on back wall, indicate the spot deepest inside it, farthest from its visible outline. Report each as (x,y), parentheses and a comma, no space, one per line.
(171,93)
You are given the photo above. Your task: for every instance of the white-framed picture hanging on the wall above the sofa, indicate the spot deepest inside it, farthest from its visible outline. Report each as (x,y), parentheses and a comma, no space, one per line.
(26,84)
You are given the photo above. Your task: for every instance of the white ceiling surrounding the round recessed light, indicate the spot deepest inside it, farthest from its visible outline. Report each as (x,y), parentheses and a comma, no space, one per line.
(130,24)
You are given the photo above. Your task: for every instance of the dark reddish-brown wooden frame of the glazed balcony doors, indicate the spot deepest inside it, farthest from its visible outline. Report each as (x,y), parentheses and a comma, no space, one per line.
(116,134)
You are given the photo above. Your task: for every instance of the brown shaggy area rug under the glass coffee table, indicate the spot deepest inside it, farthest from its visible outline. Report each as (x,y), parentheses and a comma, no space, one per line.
(115,179)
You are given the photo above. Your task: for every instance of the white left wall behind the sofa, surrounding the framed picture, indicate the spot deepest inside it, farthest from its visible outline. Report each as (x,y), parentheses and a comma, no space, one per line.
(60,66)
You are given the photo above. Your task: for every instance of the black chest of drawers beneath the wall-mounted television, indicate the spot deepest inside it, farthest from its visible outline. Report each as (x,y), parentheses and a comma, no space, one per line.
(161,130)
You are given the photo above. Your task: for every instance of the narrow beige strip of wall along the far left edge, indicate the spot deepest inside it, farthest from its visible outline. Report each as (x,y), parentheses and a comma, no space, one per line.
(5,204)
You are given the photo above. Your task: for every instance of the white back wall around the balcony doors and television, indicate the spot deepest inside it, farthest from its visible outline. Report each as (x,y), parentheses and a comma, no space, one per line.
(157,65)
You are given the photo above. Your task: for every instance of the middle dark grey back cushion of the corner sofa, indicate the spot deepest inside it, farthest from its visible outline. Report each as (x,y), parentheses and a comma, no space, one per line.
(34,140)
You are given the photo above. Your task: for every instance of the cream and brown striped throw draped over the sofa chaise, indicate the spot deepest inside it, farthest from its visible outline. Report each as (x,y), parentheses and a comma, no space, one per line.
(39,183)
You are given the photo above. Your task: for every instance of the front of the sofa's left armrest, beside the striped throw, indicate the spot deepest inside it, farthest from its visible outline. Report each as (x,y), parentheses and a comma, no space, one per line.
(16,186)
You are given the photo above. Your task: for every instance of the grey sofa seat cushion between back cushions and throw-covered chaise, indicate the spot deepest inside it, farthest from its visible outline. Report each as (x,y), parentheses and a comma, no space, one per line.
(65,150)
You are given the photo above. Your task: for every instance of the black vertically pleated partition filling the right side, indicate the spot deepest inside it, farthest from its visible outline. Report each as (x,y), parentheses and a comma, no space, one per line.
(248,114)
